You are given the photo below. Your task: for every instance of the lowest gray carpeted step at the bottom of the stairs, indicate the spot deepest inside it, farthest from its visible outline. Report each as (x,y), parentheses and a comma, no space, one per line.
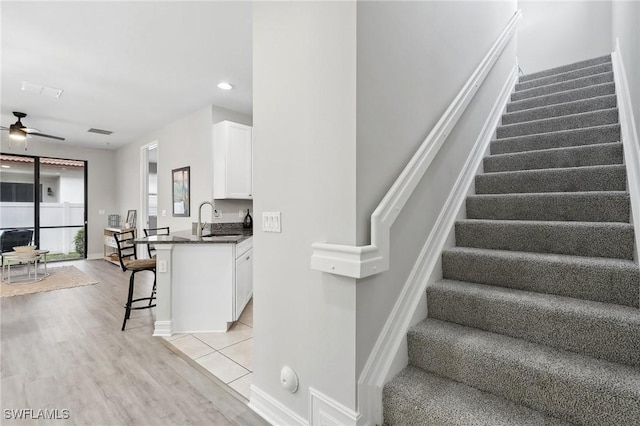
(416,397)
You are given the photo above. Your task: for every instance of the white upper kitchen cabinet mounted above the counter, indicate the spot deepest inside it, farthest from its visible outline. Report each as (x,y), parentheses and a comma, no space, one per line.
(232,161)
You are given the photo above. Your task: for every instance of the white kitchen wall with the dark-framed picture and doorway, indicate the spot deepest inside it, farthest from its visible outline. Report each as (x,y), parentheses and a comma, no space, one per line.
(184,142)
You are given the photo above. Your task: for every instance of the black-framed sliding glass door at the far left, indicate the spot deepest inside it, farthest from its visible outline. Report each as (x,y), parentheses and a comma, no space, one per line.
(56,211)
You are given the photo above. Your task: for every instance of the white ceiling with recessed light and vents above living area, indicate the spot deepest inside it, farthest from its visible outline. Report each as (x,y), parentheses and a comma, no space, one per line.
(129,67)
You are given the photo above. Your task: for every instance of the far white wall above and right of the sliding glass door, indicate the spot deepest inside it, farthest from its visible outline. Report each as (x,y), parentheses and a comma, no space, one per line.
(101,177)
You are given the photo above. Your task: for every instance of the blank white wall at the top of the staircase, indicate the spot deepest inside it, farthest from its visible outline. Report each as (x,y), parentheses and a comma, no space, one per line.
(554,33)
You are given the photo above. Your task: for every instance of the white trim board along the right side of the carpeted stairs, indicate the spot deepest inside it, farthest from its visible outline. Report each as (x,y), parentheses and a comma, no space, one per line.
(629,135)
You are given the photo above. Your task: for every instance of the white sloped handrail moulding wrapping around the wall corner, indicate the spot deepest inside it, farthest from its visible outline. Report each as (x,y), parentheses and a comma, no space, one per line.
(364,261)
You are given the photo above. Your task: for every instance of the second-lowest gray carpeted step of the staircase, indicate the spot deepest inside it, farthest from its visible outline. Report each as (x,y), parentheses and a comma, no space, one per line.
(570,386)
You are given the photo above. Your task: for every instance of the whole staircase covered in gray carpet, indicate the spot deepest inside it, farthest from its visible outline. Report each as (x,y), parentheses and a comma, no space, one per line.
(537,319)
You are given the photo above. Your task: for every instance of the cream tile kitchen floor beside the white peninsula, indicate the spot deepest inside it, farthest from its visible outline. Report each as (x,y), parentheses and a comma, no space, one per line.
(228,356)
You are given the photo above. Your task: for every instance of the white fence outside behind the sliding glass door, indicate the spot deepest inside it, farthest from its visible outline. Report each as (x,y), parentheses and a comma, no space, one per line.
(60,240)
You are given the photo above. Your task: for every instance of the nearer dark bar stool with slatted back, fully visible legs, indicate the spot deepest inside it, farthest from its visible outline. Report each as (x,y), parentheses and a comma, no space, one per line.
(129,262)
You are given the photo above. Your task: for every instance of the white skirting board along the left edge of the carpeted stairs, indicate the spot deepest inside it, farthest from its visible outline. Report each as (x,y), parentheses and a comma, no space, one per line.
(395,329)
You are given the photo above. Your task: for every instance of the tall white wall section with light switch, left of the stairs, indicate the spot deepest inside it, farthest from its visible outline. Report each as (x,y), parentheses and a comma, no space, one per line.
(304,88)
